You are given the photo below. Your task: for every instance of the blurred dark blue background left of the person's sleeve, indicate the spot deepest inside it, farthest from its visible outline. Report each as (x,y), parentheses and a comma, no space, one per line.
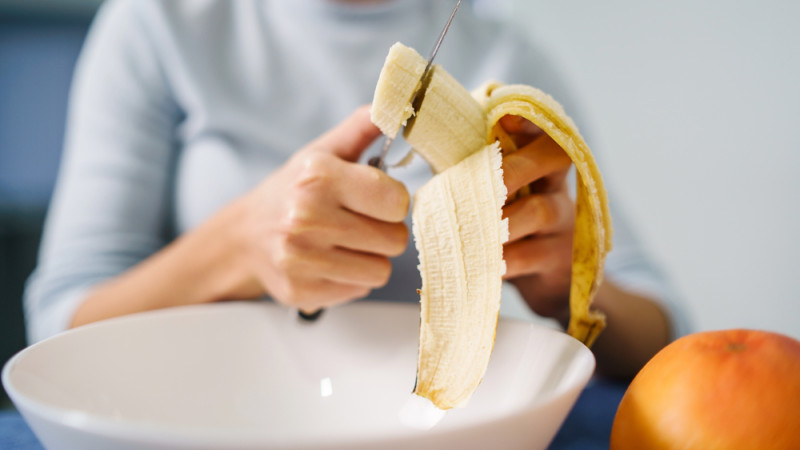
(39,43)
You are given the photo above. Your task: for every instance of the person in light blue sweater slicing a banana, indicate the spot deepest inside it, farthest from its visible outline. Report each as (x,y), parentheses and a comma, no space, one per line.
(215,150)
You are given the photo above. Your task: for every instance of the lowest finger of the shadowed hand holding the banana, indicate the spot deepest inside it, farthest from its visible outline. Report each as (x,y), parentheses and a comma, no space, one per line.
(540,254)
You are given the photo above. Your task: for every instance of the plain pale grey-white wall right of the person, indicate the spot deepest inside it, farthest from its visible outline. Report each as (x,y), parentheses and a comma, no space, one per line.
(695,107)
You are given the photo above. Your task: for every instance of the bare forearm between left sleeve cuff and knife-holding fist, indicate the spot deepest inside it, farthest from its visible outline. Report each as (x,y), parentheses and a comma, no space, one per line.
(201,266)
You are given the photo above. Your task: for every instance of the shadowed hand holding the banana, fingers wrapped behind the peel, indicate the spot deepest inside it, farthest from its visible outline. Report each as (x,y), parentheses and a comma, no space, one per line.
(539,251)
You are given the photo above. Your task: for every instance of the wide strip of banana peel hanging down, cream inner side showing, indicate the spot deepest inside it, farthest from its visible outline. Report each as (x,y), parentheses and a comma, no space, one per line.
(459,233)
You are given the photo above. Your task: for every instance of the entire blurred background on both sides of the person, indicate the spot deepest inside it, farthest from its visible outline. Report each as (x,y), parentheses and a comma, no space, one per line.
(694,107)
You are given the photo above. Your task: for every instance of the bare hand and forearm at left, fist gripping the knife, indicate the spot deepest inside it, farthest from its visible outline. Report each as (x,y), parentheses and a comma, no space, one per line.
(316,232)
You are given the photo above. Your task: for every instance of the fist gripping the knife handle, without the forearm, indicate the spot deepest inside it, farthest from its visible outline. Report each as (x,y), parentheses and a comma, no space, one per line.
(321,229)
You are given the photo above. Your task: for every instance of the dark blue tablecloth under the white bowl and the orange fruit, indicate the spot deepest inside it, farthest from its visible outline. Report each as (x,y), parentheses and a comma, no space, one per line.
(587,427)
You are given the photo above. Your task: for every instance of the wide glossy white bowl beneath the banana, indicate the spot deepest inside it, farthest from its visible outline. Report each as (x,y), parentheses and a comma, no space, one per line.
(251,375)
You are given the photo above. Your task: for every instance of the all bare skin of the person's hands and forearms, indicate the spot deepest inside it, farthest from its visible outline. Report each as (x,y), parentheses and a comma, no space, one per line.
(320,231)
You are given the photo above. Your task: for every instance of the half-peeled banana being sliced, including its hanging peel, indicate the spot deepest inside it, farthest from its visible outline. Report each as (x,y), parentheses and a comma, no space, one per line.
(457,216)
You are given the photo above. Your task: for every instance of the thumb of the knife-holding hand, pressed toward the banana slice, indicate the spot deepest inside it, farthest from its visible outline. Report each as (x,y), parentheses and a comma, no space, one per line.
(351,137)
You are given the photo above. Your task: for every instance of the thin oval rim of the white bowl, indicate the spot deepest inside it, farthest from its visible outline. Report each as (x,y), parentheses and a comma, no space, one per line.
(145,433)
